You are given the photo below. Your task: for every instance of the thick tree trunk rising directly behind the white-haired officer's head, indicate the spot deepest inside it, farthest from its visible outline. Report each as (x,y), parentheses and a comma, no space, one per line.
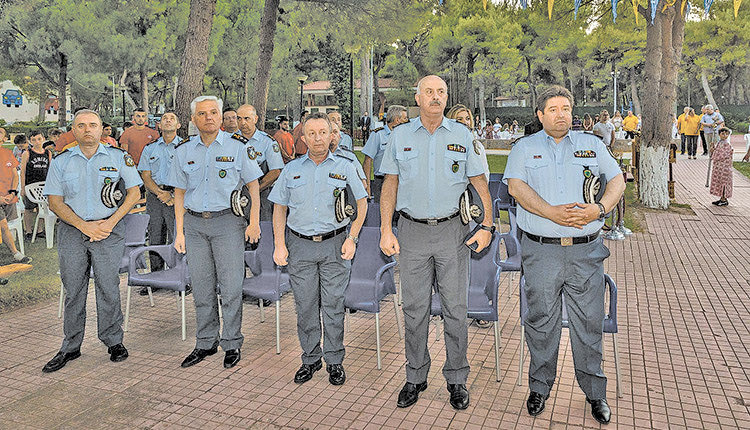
(194,58)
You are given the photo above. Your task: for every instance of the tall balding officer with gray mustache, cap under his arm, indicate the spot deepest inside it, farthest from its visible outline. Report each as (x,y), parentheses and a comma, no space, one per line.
(428,164)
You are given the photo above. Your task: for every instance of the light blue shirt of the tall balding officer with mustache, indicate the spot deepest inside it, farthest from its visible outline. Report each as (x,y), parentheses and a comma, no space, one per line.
(433,169)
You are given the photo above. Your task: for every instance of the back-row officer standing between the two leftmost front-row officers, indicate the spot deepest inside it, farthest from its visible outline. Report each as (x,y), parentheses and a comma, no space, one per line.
(155,165)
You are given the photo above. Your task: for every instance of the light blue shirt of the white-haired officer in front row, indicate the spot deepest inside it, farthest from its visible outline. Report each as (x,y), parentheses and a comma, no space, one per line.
(210,174)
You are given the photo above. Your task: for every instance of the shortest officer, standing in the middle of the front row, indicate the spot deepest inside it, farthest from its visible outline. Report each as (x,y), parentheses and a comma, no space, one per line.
(316,247)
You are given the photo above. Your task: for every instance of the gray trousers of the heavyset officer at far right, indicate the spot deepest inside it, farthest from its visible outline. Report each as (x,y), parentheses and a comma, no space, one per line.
(576,271)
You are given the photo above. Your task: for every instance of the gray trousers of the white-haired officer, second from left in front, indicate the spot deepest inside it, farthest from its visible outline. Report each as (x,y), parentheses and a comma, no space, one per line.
(215,252)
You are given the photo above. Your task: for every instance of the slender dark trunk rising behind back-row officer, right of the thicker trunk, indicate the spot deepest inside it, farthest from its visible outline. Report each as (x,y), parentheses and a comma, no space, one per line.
(265,56)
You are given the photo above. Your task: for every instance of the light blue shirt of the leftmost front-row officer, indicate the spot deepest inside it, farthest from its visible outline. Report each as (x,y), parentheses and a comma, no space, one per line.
(79,180)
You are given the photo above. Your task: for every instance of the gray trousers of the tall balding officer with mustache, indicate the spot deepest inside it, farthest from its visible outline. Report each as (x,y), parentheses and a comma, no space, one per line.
(434,253)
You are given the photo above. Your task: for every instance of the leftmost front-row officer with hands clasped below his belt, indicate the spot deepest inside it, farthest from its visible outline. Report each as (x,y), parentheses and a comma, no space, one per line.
(90,235)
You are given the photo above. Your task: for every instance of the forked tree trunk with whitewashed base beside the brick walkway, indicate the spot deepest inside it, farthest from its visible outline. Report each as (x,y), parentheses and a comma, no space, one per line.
(663,52)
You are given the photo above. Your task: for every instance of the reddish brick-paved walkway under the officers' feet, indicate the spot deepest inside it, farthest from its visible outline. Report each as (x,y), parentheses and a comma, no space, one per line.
(683,318)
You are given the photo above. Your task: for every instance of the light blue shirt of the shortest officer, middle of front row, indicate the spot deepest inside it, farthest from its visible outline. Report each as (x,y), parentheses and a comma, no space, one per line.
(308,190)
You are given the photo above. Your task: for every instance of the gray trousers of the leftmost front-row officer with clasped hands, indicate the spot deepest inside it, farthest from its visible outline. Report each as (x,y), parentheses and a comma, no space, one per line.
(77,255)
